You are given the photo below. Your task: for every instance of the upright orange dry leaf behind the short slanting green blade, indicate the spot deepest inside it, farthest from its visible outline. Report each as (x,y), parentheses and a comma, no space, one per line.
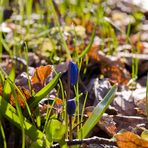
(40,75)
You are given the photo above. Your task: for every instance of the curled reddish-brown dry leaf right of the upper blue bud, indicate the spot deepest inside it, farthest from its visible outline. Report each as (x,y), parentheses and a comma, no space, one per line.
(111,68)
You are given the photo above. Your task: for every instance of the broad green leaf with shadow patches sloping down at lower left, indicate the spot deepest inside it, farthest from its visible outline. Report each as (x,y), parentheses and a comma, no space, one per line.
(10,113)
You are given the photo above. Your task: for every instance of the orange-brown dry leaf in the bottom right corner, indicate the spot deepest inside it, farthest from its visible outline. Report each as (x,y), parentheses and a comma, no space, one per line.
(130,140)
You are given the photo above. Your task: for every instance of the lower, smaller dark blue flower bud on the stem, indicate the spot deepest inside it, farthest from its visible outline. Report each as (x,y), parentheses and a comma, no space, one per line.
(71,107)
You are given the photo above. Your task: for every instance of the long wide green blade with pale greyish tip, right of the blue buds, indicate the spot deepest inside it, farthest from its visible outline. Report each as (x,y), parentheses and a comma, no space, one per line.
(97,113)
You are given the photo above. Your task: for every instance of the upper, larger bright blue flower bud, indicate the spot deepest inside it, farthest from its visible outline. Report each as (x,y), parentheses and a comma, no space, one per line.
(73,73)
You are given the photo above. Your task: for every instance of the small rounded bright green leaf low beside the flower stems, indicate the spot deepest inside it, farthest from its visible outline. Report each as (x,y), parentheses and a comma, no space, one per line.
(55,130)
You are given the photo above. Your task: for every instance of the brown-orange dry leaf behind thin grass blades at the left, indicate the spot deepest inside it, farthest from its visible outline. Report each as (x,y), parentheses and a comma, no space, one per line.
(26,95)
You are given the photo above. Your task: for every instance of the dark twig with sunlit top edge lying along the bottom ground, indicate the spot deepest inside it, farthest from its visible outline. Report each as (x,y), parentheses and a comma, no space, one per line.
(92,140)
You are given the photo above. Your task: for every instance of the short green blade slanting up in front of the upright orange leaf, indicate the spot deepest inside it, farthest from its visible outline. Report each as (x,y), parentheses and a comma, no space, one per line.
(44,91)
